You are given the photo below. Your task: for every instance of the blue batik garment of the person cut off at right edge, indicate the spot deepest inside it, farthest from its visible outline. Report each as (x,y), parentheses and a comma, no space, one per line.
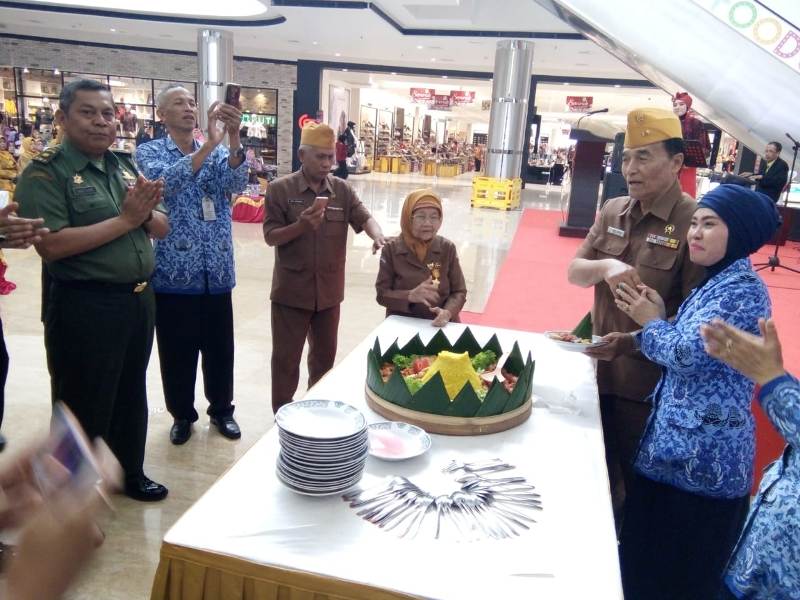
(765,564)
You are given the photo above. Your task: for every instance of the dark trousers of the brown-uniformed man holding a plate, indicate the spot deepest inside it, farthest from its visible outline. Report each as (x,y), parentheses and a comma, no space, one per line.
(623,425)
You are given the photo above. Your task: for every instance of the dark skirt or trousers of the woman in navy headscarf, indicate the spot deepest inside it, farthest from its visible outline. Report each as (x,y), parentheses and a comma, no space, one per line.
(674,544)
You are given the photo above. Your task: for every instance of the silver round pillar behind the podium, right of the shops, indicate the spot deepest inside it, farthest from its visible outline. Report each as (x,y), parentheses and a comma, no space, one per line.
(508,131)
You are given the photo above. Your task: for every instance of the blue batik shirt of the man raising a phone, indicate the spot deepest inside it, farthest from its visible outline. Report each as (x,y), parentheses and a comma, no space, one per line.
(197,256)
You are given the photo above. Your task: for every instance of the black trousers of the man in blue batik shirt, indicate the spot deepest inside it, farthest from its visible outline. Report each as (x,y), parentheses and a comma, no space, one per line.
(188,325)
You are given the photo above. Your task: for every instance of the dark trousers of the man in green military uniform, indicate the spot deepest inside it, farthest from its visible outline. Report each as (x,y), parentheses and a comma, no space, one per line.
(98,346)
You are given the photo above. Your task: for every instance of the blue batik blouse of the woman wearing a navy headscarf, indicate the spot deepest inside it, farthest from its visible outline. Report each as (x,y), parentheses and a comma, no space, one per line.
(700,437)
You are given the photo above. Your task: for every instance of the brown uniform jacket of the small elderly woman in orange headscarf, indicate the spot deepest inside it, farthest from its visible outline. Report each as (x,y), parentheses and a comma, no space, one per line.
(401,271)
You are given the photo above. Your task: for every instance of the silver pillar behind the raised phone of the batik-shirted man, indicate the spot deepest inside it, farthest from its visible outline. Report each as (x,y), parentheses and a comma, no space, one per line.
(215,63)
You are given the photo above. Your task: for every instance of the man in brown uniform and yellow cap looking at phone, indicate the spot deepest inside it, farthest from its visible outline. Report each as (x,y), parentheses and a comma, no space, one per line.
(306,220)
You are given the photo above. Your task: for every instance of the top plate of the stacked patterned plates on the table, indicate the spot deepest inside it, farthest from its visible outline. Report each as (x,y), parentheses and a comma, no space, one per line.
(320,419)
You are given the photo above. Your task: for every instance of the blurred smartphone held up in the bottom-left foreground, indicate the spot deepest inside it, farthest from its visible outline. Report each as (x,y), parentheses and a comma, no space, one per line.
(70,449)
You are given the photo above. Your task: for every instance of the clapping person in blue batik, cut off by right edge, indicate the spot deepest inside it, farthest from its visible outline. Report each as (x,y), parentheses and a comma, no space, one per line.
(765,564)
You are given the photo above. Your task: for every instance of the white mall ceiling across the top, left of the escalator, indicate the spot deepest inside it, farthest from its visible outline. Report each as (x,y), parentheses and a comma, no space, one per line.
(353,35)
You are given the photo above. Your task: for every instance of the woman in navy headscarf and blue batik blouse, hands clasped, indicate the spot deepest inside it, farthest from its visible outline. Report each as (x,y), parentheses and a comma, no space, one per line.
(694,467)
